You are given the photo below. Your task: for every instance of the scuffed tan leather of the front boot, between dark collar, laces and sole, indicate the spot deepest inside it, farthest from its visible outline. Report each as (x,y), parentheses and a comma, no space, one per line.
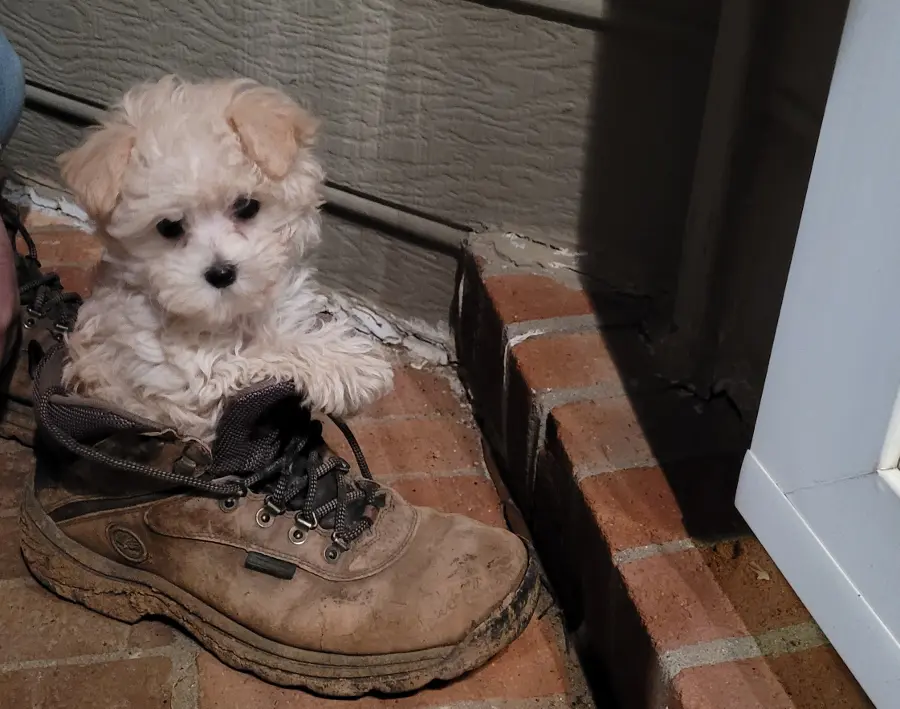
(419,579)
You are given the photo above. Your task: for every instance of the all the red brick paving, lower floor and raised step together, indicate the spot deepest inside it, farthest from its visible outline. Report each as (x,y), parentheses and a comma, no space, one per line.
(628,499)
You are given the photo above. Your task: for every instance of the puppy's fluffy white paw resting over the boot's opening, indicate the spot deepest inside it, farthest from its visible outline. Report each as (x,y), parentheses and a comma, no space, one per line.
(349,384)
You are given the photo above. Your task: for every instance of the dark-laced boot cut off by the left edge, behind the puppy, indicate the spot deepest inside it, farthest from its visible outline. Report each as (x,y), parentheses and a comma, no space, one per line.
(47,312)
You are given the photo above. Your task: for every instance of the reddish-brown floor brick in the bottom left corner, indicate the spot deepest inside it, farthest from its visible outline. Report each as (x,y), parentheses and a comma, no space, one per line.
(128,684)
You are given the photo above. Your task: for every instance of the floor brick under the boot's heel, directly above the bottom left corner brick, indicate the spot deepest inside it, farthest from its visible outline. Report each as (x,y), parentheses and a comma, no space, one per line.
(38,625)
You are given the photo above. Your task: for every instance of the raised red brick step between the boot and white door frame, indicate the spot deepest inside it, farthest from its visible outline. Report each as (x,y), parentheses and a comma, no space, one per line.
(626,484)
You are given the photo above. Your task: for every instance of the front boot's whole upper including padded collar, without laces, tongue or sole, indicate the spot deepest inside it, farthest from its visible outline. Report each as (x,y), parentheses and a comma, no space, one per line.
(417,579)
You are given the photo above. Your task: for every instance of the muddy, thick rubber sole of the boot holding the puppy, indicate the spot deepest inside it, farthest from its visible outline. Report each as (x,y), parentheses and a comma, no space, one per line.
(127,594)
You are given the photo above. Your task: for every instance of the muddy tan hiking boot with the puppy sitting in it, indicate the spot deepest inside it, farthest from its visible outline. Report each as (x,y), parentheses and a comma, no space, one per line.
(266,548)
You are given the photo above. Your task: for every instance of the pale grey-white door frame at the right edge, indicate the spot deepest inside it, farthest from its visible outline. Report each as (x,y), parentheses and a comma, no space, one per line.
(810,486)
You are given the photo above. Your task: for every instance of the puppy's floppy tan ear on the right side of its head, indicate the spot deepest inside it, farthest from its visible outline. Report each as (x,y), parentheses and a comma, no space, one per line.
(272,128)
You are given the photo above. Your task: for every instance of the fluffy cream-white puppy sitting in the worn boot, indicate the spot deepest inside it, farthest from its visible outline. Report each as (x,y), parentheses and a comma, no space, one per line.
(206,198)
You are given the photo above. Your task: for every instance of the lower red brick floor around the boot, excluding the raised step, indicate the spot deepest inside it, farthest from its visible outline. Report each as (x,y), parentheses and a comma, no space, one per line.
(422,439)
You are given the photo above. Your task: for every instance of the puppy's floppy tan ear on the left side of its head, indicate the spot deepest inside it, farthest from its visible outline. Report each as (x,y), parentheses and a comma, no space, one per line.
(94,170)
